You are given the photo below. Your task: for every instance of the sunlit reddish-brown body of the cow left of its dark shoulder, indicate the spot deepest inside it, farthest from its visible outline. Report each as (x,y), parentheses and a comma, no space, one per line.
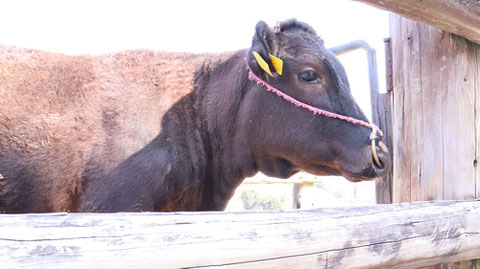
(67,119)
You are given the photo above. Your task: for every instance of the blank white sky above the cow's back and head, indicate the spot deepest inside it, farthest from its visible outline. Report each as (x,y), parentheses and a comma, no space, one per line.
(209,25)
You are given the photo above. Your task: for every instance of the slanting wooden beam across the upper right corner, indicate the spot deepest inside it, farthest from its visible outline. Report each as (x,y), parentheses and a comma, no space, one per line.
(454,16)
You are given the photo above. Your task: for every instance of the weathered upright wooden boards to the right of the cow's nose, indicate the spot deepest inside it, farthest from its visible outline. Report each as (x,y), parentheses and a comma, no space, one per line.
(436,79)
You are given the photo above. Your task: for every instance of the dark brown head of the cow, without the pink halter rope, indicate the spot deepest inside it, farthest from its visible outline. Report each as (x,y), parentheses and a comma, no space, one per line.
(286,138)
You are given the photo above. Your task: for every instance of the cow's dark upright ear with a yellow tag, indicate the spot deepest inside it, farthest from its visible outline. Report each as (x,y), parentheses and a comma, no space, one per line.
(259,55)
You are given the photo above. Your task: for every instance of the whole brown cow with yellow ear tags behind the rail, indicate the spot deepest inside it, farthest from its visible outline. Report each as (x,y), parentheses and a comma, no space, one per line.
(157,131)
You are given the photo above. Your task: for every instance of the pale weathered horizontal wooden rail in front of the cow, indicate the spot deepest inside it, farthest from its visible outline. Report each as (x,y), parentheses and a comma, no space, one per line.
(393,236)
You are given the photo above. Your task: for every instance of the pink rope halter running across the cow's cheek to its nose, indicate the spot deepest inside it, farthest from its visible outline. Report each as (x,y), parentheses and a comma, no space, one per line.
(376,132)
